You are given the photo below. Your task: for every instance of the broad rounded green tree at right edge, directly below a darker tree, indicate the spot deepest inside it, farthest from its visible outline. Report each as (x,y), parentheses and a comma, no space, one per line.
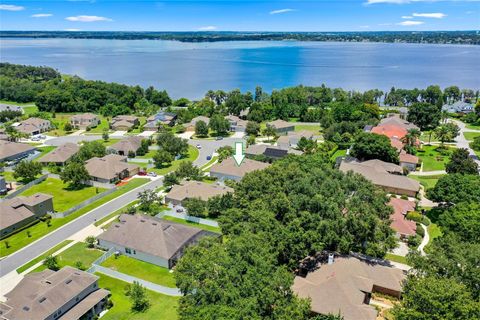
(456,188)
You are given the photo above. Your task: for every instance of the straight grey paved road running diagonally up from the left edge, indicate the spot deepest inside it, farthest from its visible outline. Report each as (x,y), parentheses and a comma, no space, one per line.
(28,253)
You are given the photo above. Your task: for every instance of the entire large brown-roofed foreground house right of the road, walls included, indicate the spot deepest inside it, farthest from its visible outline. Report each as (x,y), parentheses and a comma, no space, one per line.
(150,239)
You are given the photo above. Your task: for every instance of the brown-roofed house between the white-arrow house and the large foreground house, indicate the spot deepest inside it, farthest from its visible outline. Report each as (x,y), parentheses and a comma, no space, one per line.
(194,189)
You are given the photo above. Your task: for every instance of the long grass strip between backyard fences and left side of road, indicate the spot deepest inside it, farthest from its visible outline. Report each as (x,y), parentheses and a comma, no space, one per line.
(19,240)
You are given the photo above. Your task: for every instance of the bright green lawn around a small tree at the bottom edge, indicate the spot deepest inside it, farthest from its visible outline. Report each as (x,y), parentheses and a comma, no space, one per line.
(161,306)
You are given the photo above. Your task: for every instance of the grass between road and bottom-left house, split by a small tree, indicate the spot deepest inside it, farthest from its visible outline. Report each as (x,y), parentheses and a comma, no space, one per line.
(77,252)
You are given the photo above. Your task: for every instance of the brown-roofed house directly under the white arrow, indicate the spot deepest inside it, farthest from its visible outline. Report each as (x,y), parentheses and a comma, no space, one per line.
(229,170)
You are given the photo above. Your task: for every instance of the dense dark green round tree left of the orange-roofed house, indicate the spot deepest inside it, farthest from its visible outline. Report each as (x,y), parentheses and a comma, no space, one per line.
(374,146)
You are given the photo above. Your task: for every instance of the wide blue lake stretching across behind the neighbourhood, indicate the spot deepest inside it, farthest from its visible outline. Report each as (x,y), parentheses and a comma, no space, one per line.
(191,69)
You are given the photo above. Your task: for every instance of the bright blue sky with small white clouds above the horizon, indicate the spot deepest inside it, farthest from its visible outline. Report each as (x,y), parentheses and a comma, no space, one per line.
(247,15)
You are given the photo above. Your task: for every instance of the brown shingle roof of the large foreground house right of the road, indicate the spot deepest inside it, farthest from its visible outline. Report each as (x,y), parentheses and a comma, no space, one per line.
(149,235)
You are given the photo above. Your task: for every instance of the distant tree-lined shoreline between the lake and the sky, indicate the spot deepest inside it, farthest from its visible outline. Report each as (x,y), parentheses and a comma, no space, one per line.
(423,37)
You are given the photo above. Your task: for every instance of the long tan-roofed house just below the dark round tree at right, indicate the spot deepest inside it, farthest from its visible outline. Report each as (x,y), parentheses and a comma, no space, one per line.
(384,175)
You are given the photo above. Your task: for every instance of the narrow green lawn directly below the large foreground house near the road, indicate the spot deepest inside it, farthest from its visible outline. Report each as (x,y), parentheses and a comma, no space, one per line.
(141,269)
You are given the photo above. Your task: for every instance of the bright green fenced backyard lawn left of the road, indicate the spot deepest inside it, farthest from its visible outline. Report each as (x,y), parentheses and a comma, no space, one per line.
(63,197)
